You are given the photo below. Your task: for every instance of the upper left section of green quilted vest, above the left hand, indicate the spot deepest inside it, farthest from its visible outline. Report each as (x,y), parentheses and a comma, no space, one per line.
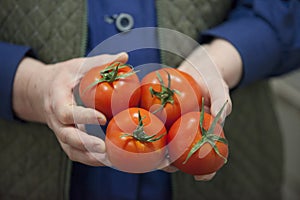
(49,27)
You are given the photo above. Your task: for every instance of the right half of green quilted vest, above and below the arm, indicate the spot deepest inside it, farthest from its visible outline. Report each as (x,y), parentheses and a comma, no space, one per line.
(255,166)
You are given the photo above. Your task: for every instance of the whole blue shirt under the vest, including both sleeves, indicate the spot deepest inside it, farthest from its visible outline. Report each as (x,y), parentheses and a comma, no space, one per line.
(265,32)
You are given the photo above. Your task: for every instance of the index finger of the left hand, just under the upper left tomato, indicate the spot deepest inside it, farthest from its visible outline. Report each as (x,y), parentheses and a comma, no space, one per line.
(73,114)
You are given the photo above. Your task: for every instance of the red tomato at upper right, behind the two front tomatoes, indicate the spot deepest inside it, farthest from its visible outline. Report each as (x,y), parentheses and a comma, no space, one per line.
(169,93)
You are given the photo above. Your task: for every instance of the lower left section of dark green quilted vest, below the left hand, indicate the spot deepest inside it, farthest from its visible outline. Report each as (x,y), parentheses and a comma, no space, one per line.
(32,161)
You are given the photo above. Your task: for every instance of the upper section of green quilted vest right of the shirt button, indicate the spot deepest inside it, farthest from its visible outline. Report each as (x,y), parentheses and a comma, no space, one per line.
(188,17)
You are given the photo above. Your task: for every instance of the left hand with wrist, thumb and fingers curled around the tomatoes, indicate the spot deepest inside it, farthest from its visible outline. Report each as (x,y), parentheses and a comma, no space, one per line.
(44,93)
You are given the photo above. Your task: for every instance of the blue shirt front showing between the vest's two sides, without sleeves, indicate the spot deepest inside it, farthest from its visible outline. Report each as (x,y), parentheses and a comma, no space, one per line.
(104,182)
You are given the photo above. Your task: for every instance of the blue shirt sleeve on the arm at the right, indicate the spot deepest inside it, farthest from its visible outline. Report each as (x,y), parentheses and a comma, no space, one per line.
(266,33)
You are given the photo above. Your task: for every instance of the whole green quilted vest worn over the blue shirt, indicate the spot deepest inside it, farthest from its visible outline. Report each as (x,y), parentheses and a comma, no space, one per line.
(33,166)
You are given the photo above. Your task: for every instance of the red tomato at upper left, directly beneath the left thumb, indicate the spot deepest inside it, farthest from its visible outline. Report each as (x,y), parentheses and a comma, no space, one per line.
(110,88)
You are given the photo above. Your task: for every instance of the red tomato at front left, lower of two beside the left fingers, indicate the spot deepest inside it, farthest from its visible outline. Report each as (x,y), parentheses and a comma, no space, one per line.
(135,141)
